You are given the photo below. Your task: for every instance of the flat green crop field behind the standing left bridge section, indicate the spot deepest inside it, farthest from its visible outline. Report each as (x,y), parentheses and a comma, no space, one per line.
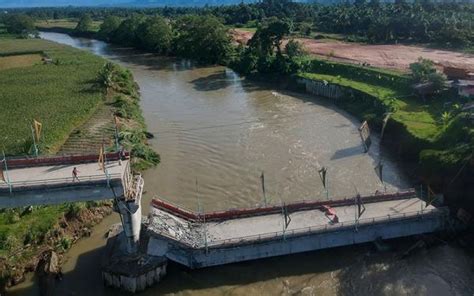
(62,95)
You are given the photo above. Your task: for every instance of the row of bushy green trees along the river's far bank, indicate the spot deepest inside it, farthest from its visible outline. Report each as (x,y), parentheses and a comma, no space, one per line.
(205,39)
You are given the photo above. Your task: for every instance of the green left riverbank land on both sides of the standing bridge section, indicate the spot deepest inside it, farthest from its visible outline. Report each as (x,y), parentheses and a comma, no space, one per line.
(65,94)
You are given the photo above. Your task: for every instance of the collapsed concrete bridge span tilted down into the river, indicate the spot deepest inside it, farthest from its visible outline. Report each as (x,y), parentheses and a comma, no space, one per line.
(196,243)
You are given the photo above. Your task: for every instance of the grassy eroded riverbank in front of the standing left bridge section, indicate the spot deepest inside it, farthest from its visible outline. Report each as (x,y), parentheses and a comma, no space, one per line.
(61,226)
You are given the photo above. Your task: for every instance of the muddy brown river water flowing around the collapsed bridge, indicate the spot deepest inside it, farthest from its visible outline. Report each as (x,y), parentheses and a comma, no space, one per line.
(216,133)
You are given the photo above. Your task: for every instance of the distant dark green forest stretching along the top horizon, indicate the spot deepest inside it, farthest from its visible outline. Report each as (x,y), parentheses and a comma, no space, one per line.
(374,21)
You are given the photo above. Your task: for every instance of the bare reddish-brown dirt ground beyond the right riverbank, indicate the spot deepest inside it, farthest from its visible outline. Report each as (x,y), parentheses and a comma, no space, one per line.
(393,56)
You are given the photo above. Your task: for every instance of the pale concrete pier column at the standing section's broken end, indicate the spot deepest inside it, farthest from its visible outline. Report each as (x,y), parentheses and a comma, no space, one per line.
(131,212)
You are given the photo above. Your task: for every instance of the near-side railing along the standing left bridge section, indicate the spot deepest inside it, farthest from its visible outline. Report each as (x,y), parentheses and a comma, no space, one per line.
(58,181)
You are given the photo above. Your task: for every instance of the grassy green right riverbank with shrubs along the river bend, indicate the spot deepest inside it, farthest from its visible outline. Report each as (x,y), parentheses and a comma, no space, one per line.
(430,136)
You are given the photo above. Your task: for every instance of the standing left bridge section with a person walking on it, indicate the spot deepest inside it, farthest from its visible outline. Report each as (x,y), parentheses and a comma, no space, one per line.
(49,181)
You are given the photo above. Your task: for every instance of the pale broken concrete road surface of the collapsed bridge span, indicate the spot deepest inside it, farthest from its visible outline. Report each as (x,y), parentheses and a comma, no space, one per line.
(264,226)
